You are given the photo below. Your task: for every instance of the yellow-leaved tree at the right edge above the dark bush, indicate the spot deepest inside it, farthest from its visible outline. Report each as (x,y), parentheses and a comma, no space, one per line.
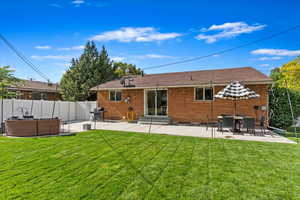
(288,75)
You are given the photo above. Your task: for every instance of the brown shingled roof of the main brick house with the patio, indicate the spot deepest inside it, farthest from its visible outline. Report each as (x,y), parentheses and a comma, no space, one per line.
(247,75)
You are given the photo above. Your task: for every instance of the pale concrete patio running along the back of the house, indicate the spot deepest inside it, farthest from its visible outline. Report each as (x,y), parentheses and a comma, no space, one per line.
(181,130)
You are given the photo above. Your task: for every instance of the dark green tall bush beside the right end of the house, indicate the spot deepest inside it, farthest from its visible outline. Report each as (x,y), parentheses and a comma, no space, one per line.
(279,109)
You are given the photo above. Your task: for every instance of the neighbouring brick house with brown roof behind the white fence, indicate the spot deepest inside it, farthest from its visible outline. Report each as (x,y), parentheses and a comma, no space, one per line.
(36,90)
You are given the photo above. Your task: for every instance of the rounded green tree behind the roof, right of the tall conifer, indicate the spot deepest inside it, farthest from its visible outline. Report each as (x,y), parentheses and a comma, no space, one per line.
(124,69)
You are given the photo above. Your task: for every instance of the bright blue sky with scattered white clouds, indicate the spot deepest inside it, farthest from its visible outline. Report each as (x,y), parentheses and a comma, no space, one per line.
(148,33)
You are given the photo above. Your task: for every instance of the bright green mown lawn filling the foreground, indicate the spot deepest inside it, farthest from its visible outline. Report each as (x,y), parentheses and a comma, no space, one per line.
(121,165)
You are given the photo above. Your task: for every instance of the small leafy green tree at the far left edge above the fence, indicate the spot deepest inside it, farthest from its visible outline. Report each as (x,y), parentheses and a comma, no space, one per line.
(7,79)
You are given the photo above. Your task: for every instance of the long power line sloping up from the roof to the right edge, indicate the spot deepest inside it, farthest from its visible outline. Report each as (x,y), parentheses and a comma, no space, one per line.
(225,50)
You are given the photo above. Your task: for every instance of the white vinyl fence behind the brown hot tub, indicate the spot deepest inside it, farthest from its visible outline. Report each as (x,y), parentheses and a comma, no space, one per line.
(64,110)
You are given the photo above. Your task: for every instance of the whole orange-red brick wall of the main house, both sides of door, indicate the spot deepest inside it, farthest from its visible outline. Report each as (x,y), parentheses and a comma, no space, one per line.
(181,104)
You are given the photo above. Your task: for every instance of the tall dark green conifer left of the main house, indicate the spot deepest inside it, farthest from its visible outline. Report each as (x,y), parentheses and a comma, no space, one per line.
(92,68)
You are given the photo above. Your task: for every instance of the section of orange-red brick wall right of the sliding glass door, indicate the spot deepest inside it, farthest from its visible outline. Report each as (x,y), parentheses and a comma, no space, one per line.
(183,107)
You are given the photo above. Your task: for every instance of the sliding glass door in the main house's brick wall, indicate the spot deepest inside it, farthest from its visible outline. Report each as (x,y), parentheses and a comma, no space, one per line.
(156,102)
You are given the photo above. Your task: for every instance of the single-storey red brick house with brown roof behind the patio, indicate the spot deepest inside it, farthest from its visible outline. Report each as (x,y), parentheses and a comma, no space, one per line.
(183,96)
